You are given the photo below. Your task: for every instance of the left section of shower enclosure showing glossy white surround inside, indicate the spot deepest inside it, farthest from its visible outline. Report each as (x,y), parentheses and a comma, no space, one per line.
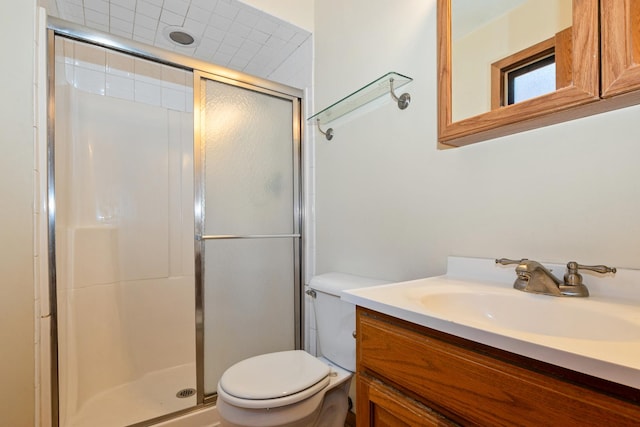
(123,226)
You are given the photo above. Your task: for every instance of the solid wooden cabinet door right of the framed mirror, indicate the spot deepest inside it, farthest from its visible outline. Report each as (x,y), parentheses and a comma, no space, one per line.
(620,38)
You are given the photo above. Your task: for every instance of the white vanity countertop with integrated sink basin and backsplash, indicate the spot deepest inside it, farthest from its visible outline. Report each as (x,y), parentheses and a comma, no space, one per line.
(609,354)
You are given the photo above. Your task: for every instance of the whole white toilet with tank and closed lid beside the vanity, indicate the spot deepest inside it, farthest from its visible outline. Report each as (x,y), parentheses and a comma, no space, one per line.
(293,388)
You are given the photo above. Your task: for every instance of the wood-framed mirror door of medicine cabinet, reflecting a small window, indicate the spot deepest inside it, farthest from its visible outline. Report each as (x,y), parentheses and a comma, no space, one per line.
(485,49)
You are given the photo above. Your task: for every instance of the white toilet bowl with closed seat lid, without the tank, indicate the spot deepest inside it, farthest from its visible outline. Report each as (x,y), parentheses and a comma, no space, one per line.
(309,390)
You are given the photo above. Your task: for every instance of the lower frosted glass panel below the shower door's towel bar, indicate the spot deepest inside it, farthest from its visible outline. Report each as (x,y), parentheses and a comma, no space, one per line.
(249,302)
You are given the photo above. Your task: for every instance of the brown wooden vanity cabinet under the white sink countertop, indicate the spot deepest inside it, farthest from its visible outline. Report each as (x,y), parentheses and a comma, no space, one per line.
(415,376)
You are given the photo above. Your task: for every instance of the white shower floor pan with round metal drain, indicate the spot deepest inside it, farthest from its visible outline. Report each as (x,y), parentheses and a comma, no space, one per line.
(151,396)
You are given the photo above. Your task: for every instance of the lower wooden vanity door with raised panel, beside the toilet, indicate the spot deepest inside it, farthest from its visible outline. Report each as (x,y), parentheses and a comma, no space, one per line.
(381,406)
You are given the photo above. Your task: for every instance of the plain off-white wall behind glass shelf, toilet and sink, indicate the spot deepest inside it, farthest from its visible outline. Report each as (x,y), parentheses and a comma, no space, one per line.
(390,204)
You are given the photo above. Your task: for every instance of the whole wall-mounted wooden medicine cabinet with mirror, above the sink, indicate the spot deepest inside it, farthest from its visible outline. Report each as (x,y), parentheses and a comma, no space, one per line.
(593,46)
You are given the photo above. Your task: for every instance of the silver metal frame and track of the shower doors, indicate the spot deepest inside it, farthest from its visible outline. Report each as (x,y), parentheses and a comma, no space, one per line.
(60,27)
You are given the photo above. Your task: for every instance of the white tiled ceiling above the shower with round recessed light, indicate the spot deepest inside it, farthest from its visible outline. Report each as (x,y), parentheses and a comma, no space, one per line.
(227,32)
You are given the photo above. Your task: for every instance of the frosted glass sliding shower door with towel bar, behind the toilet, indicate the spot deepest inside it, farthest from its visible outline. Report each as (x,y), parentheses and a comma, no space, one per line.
(249,209)
